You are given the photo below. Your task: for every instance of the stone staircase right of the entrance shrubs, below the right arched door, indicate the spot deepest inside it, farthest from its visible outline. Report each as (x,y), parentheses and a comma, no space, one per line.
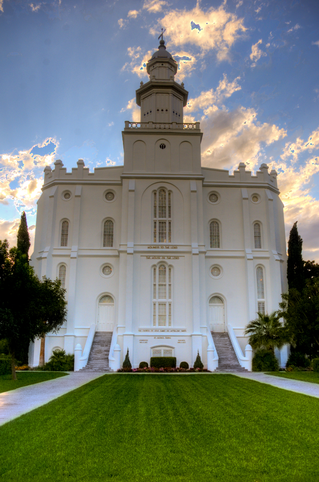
(228,361)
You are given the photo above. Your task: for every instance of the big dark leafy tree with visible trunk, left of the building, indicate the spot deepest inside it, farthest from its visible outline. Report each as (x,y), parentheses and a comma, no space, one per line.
(29,308)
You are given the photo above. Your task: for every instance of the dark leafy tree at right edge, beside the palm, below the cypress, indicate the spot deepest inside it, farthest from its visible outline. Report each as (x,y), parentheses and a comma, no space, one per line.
(301,314)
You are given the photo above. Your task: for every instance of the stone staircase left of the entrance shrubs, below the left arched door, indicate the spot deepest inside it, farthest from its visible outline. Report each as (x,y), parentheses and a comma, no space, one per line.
(99,356)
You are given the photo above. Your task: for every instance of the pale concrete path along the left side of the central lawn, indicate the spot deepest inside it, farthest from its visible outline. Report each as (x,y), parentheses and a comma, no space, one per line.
(24,399)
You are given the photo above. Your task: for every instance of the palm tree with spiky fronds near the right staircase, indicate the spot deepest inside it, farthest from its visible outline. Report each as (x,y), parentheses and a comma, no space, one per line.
(266,331)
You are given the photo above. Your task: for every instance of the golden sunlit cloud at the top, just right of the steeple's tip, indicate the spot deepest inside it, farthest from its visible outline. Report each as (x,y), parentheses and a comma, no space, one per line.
(213,29)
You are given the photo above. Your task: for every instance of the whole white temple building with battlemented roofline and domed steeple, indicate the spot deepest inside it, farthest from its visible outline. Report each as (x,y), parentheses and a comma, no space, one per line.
(160,254)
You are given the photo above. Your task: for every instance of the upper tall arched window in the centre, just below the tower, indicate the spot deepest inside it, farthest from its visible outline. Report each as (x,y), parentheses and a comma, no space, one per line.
(162,216)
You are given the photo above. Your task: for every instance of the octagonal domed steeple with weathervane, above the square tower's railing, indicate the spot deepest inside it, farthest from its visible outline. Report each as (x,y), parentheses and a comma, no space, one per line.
(161,99)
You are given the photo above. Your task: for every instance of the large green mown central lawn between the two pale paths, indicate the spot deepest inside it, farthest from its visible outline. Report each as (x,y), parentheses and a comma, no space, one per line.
(166,428)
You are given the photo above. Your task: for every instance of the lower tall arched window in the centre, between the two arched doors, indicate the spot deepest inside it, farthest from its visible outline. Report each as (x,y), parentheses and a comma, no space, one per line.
(162,295)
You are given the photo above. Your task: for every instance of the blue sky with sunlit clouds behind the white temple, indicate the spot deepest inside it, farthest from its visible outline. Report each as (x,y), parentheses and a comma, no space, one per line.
(69,71)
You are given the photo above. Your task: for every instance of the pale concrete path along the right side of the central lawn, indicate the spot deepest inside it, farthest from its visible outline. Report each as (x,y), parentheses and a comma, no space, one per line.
(297,386)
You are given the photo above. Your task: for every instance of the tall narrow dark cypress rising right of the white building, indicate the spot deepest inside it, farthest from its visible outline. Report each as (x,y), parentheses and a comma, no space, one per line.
(295,269)
